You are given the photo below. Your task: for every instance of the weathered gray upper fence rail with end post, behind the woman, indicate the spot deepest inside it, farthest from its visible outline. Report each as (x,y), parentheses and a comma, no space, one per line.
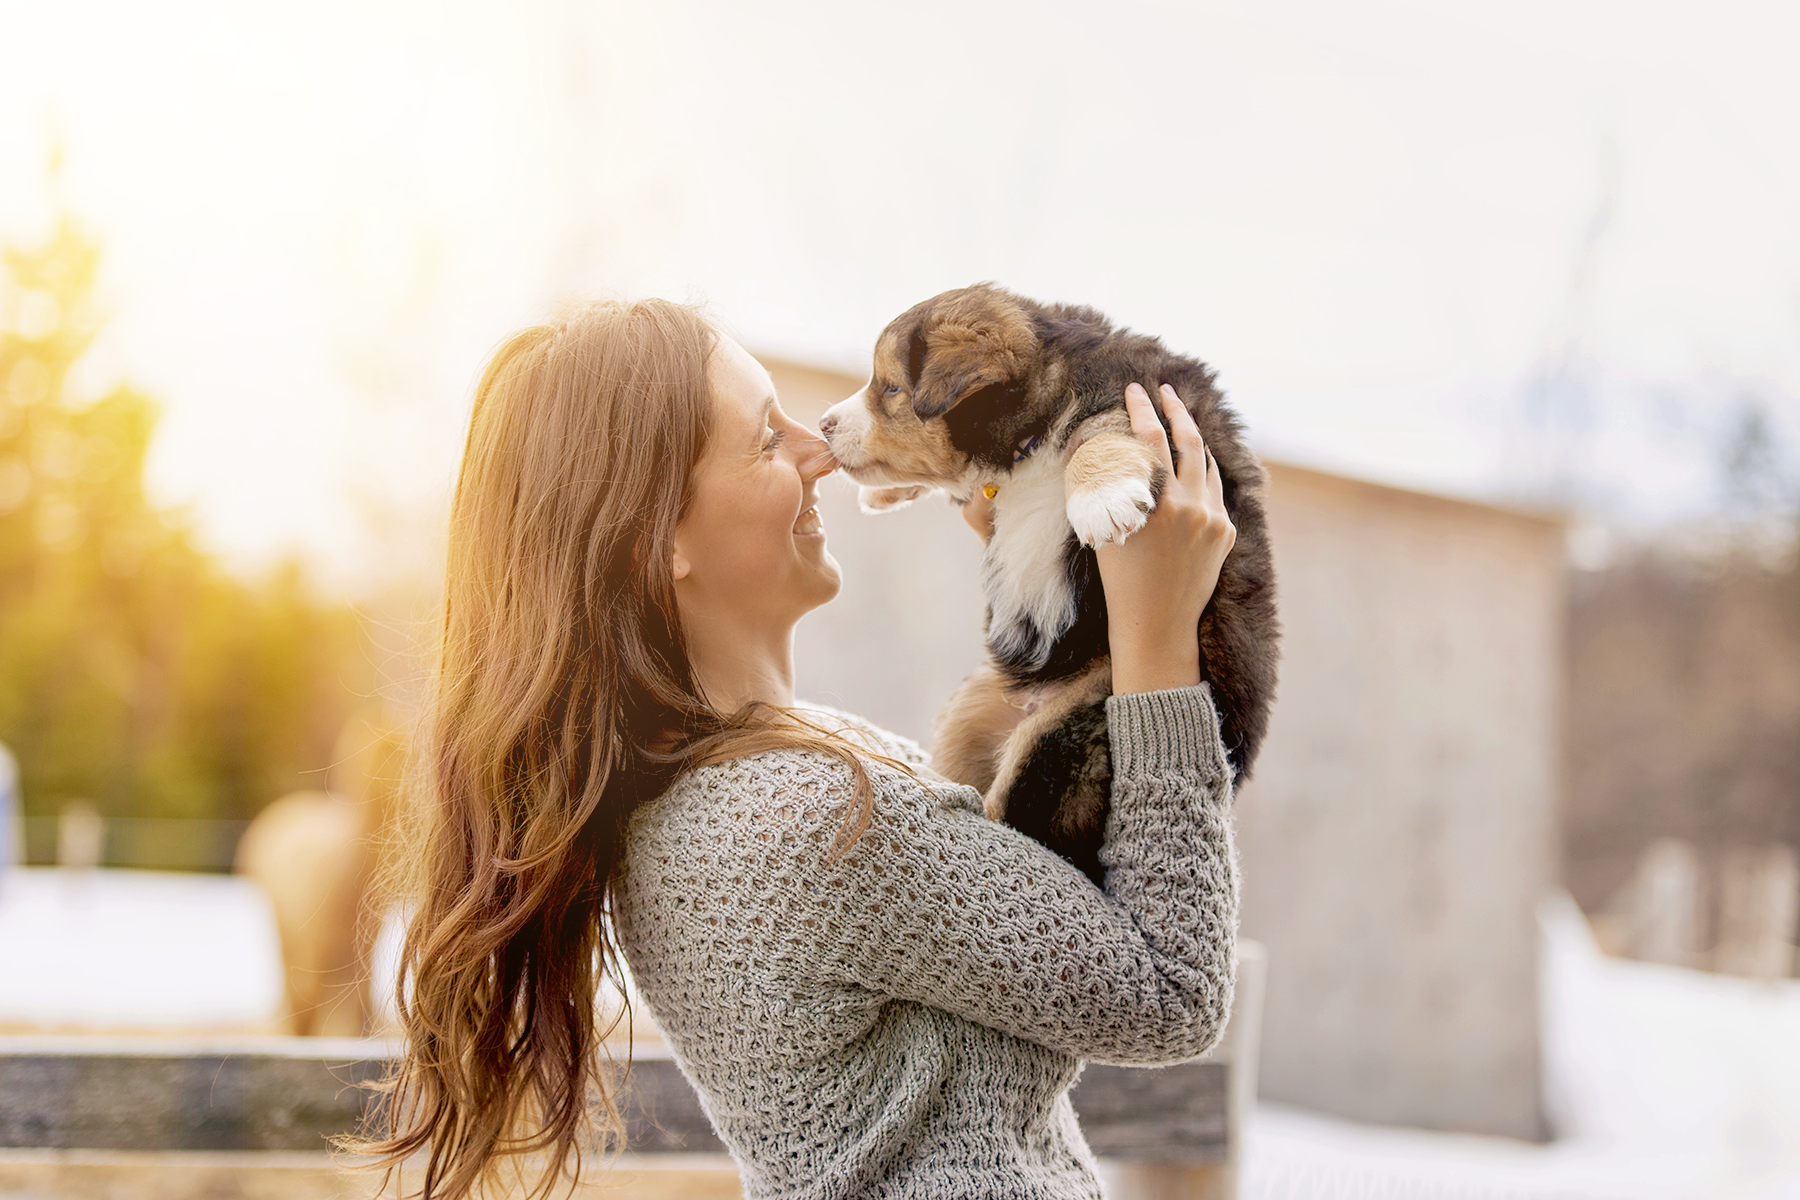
(287,1095)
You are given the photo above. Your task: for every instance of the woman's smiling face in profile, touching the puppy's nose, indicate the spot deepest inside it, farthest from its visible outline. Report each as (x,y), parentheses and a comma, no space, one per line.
(751,548)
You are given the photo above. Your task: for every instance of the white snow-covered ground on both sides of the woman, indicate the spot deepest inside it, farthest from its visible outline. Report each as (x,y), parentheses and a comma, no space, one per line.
(1664,1084)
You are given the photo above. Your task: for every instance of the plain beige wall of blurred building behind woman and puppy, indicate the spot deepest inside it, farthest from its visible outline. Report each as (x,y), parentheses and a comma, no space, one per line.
(1399,830)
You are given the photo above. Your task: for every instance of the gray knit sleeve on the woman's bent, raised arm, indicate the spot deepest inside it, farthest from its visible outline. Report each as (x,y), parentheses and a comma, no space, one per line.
(940,906)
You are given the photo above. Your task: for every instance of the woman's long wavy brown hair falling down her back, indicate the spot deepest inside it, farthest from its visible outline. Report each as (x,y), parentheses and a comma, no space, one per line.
(562,701)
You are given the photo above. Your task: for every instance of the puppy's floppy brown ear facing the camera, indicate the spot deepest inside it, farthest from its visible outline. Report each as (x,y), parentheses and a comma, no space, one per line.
(980,341)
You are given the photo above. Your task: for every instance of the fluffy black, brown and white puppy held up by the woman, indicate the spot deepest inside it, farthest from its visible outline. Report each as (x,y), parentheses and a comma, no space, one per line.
(985,391)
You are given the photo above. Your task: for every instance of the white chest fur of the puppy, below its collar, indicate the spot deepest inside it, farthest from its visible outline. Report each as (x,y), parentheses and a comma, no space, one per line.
(1025,577)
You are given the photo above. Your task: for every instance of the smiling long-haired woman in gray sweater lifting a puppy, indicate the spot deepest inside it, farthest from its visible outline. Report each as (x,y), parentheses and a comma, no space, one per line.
(874,989)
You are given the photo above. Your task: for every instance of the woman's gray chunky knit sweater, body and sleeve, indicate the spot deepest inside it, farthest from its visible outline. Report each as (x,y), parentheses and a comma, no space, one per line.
(908,1021)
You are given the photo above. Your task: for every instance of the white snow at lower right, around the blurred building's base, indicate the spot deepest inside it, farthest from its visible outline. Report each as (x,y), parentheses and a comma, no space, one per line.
(1662,1084)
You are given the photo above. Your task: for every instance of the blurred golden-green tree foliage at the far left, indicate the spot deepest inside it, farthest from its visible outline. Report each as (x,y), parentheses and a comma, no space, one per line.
(136,672)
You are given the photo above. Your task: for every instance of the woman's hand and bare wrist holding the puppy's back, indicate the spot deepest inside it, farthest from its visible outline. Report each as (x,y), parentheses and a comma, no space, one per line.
(1160,578)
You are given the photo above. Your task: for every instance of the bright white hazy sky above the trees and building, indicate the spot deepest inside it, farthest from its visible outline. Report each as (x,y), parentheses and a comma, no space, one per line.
(1385,224)
